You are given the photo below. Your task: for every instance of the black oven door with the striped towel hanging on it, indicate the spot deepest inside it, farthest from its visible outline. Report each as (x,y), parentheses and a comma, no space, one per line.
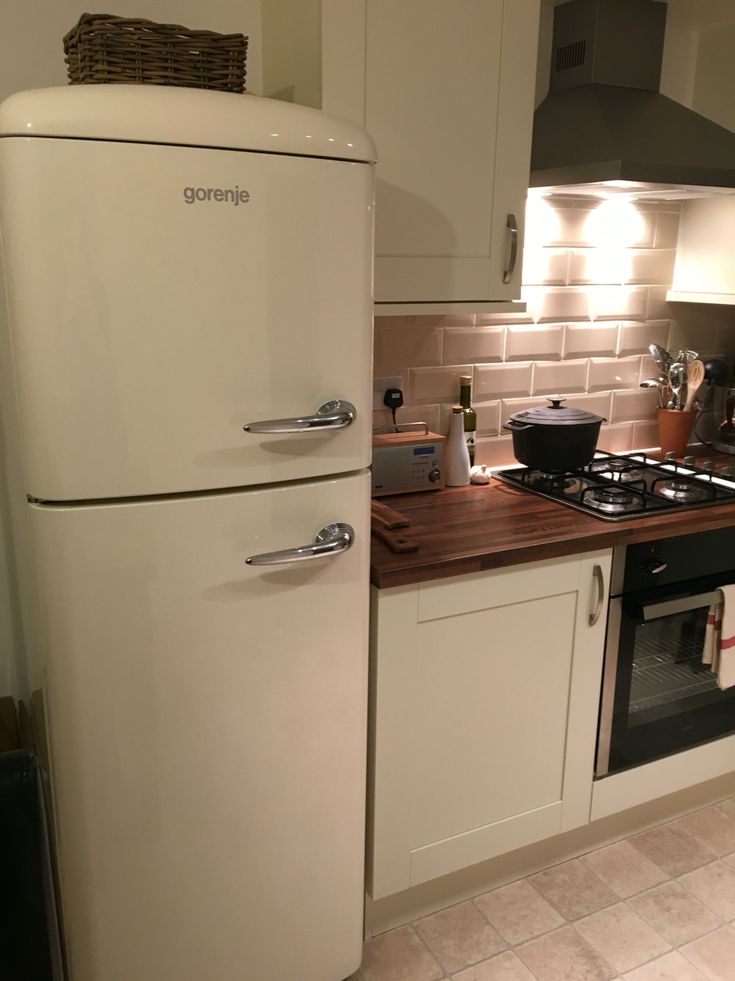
(658,696)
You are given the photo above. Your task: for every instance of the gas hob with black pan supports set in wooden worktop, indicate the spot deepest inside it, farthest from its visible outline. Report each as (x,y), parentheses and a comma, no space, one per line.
(630,485)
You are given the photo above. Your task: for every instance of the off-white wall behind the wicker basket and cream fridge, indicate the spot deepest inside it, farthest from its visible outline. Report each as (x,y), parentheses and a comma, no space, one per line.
(32,56)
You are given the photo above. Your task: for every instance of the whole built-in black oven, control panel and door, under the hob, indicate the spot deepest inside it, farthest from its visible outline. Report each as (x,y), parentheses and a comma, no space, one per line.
(658,696)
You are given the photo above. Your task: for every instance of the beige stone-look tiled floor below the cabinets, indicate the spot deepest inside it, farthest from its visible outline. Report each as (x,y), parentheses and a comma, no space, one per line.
(659,906)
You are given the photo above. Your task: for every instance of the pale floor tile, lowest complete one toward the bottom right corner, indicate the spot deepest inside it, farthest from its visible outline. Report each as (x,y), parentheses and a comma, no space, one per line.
(620,936)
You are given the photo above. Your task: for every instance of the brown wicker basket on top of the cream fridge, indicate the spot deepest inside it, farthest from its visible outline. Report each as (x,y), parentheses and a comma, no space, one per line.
(103,48)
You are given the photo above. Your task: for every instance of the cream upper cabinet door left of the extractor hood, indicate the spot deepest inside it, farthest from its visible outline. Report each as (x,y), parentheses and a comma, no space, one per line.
(446,91)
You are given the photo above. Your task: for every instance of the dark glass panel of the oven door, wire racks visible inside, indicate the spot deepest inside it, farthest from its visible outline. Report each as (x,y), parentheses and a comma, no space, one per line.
(666,698)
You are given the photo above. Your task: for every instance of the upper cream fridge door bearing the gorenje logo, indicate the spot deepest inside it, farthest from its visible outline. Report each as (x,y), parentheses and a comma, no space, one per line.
(162,297)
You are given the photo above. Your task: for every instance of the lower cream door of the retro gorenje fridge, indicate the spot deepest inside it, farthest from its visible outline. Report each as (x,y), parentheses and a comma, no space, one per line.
(207,725)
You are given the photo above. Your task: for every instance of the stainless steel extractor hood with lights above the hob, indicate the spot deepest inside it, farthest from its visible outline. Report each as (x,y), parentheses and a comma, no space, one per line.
(605,127)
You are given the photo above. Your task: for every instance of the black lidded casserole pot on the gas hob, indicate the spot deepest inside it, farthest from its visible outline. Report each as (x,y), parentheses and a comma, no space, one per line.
(554,437)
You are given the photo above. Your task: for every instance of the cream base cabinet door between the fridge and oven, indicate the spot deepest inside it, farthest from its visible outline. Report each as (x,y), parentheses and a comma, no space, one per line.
(484,700)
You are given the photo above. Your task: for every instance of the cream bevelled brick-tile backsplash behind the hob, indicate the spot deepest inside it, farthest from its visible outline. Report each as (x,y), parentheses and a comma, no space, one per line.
(595,280)
